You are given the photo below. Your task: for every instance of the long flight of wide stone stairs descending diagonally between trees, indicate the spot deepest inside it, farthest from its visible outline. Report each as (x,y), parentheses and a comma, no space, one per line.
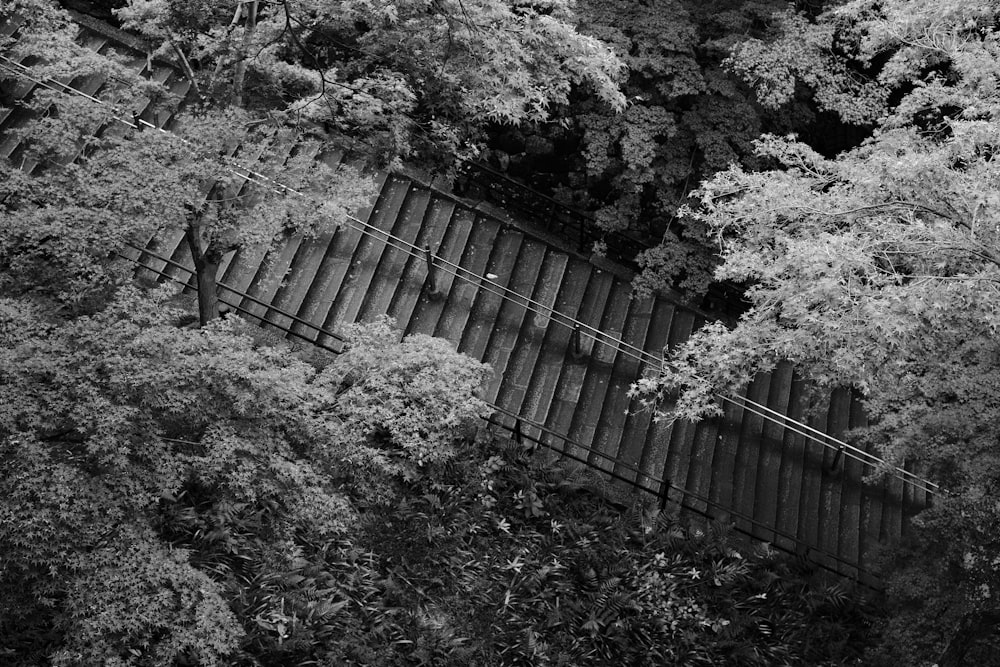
(569,388)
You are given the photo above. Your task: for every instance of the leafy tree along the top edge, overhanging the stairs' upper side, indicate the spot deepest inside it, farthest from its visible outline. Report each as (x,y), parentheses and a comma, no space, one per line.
(401,76)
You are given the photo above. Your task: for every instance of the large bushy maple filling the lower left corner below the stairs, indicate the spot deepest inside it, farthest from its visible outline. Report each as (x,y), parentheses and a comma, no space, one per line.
(154,476)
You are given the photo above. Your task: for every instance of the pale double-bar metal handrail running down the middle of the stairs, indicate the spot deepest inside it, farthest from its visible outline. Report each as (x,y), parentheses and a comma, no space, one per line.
(838,446)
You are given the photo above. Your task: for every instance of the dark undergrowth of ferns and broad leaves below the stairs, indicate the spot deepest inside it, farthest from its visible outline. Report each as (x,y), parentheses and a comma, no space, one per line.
(532,565)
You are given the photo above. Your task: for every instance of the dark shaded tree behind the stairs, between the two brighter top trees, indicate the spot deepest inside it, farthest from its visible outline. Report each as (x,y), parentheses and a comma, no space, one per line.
(688,116)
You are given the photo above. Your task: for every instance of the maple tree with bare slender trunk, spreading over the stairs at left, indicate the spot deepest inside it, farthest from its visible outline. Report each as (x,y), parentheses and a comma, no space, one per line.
(125,186)
